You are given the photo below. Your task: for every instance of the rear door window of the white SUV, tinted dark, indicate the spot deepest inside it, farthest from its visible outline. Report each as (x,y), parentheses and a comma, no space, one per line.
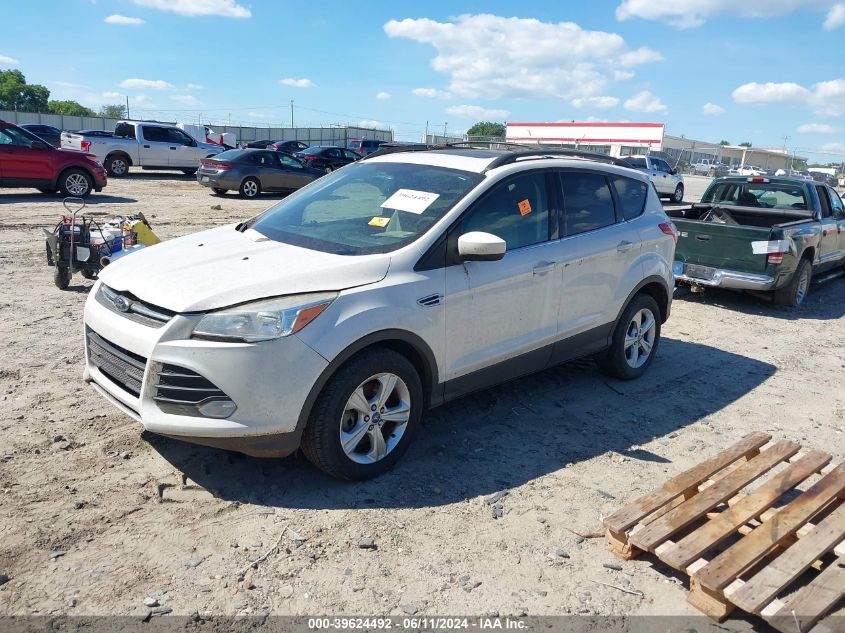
(587,202)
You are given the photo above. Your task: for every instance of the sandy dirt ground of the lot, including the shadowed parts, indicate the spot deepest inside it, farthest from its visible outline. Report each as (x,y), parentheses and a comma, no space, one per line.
(96,516)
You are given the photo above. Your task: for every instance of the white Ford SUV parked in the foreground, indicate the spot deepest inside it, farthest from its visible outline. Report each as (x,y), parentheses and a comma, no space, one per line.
(333,320)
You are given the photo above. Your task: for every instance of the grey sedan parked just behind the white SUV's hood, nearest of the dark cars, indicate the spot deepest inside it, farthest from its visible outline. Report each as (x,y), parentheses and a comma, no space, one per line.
(253,171)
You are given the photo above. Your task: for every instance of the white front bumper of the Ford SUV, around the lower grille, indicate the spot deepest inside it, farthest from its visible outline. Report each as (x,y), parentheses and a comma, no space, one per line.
(268,382)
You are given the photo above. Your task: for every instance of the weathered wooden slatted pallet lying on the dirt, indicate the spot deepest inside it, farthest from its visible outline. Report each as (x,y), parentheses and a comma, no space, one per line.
(747,550)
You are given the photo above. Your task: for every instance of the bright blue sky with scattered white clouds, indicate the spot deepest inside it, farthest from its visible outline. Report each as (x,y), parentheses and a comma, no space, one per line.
(768,69)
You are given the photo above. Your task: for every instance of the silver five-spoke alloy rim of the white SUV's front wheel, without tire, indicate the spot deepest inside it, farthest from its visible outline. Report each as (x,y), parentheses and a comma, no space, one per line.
(375,418)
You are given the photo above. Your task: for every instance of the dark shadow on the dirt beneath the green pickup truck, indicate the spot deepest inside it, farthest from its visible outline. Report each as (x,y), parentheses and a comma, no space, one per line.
(823,303)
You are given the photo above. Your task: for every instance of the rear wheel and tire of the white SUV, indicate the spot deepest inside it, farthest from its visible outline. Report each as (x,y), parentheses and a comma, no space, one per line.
(635,340)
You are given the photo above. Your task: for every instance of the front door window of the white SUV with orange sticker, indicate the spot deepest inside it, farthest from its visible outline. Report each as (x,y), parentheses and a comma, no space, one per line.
(515,210)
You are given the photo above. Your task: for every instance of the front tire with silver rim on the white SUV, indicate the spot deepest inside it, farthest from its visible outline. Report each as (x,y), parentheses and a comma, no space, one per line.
(365,417)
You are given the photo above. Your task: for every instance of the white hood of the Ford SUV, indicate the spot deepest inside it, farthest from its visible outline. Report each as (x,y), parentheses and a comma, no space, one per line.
(222,267)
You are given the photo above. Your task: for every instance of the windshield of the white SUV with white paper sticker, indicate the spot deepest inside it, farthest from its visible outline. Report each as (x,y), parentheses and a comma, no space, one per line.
(366,207)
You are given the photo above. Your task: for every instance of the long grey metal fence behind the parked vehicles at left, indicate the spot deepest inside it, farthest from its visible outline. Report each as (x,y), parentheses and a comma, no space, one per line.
(336,135)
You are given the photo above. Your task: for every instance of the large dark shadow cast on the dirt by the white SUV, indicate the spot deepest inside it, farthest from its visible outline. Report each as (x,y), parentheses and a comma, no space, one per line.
(501,437)
